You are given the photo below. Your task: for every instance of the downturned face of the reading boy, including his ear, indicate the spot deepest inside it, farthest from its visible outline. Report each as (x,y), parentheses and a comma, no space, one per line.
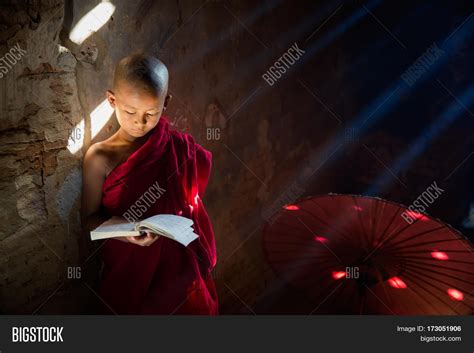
(137,111)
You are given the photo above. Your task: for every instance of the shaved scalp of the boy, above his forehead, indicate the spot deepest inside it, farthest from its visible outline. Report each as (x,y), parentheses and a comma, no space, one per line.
(143,72)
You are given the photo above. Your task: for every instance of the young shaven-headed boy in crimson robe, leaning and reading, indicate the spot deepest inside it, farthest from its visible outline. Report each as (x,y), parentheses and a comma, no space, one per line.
(142,170)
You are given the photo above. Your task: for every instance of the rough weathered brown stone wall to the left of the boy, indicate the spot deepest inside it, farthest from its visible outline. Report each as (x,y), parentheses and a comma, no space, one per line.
(40,179)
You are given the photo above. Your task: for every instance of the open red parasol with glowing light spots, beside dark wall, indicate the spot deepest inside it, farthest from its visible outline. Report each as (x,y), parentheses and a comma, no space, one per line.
(364,255)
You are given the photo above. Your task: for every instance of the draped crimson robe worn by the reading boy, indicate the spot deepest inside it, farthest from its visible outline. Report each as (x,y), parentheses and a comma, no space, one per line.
(165,277)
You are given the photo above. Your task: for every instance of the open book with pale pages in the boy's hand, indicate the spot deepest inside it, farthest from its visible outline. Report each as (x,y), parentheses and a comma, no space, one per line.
(171,226)
